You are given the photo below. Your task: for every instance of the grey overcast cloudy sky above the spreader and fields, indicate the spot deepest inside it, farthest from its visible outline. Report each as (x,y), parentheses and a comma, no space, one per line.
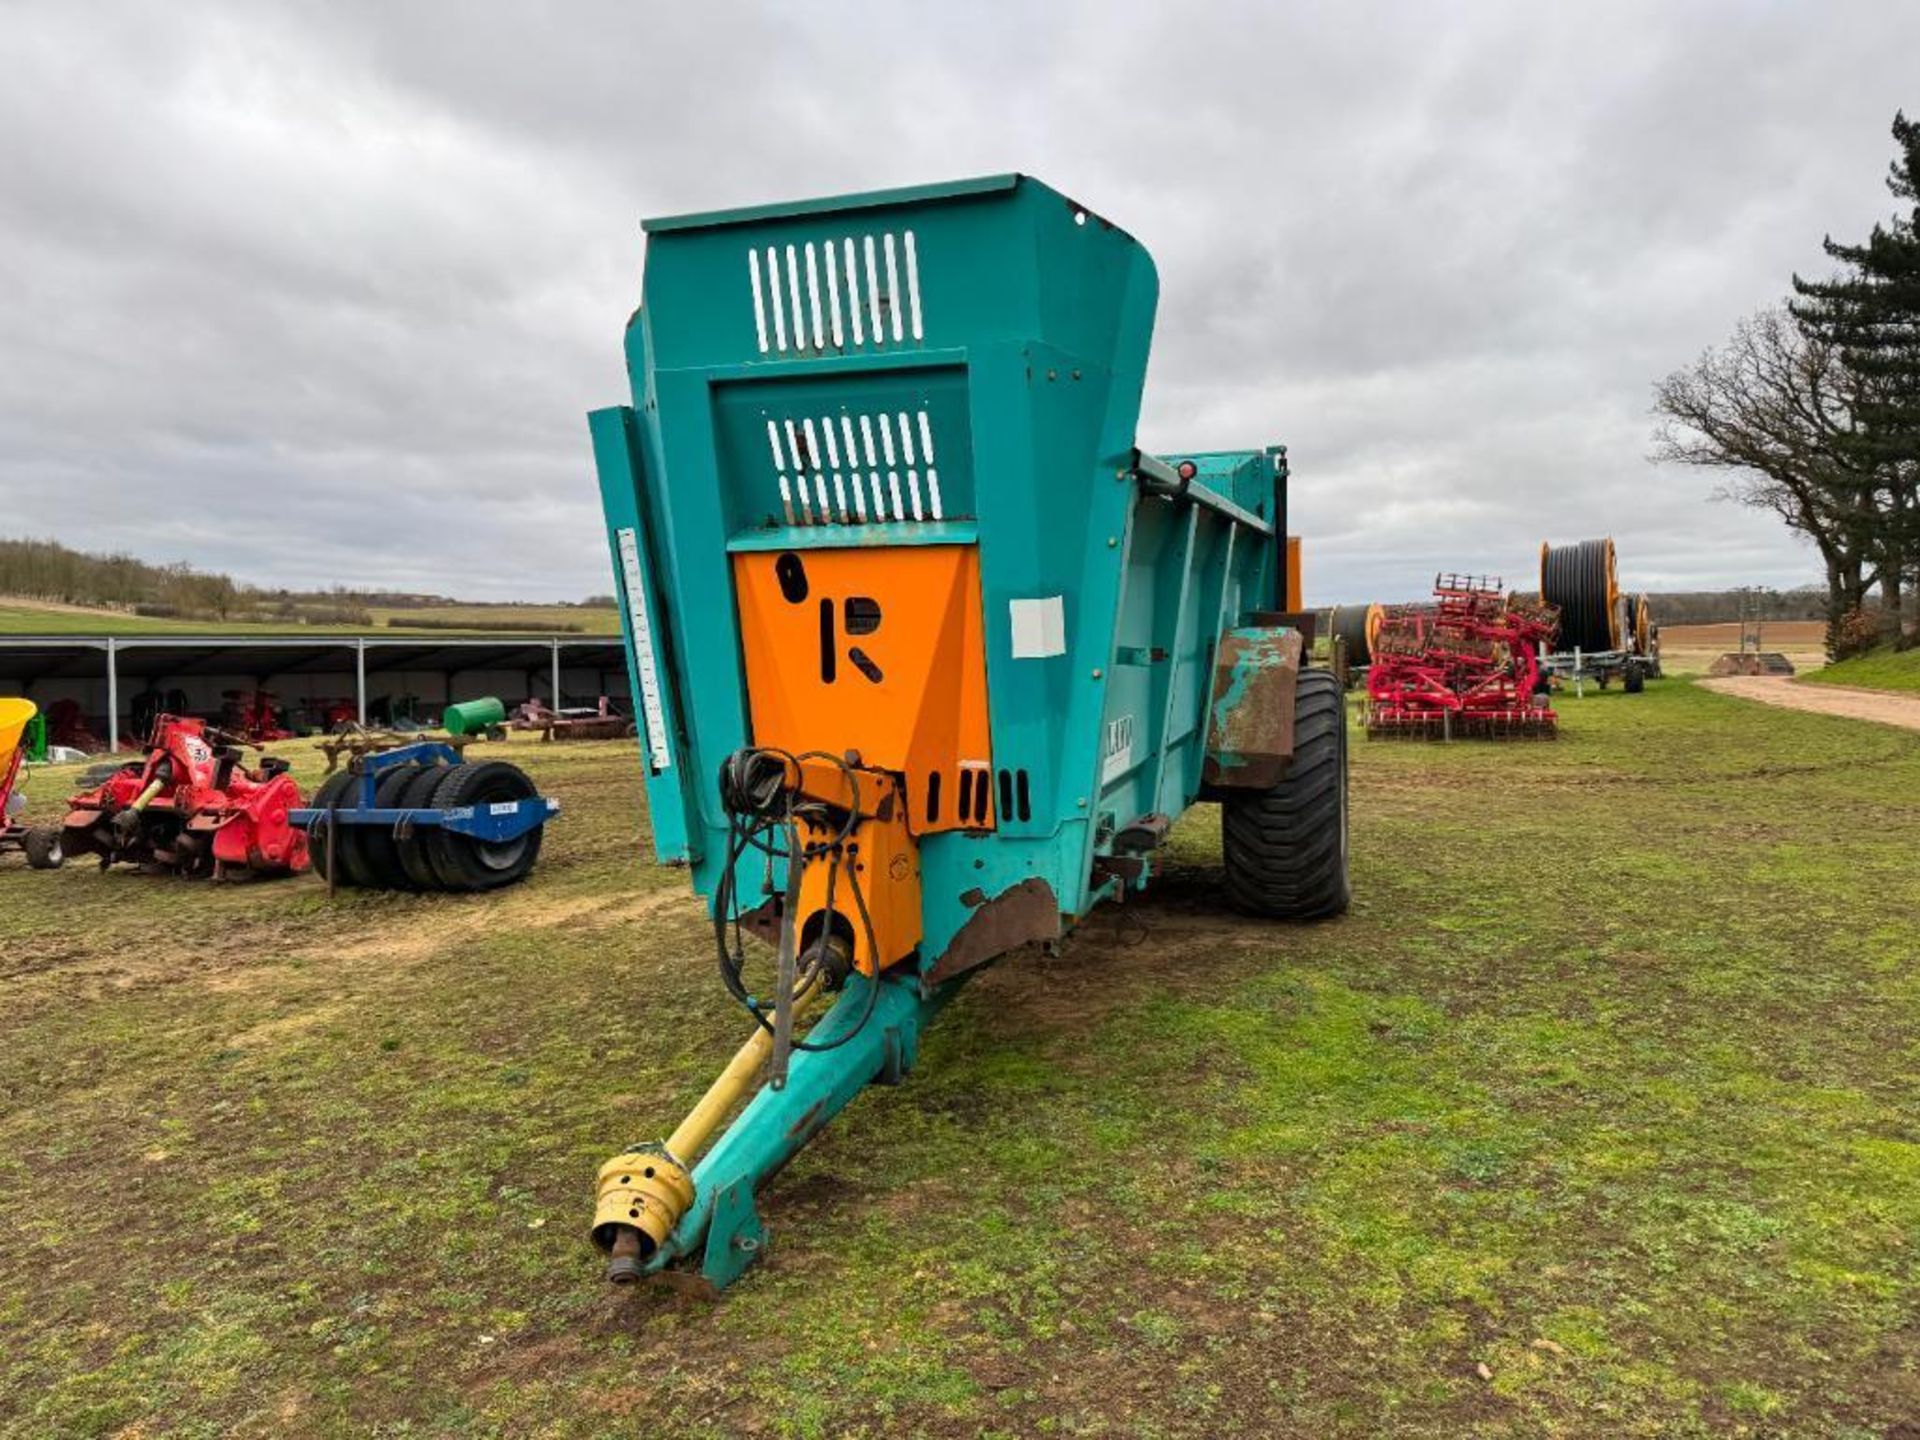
(322,295)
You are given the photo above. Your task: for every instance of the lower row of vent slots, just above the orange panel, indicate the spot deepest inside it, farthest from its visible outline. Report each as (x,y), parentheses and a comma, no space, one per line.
(855,469)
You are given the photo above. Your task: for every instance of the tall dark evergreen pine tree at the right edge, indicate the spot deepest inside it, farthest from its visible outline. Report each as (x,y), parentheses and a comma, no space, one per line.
(1871,314)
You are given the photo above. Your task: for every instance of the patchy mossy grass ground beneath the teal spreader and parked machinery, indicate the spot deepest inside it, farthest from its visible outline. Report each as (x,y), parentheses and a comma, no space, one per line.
(1600,1116)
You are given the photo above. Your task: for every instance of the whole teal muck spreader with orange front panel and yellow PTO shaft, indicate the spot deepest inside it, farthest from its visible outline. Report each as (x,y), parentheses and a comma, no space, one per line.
(928,656)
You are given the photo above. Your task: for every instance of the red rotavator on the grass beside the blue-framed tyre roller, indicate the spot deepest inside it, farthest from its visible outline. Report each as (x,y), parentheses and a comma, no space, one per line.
(193,807)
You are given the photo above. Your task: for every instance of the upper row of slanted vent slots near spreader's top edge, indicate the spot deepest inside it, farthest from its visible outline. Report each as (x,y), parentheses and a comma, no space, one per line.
(852,293)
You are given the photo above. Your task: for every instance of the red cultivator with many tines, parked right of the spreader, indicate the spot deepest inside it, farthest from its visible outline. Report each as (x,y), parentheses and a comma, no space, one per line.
(1466,665)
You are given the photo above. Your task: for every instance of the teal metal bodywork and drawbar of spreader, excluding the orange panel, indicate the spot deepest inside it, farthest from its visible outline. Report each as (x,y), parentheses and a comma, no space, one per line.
(1011,327)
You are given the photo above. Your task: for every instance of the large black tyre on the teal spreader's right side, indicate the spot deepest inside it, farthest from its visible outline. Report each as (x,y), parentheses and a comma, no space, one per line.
(1287,846)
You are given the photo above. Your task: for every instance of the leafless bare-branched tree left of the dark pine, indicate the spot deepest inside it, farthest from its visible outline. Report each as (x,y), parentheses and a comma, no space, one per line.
(1775,410)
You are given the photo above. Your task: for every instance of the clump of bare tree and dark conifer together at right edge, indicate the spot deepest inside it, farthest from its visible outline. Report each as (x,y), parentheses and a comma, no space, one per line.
(1813,412)
